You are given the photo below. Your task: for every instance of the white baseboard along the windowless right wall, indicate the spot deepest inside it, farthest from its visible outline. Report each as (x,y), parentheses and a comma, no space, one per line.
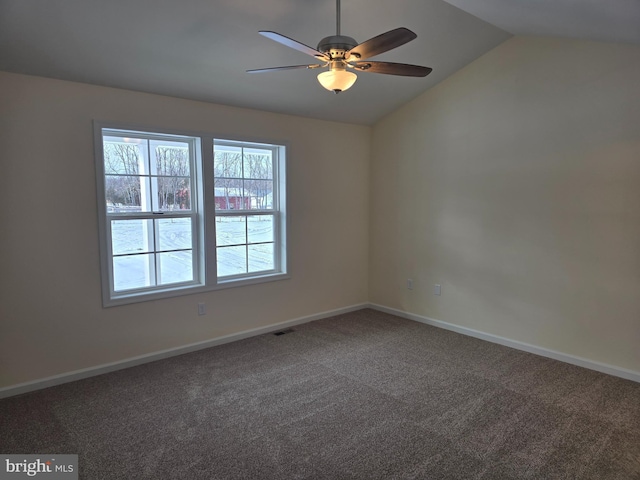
(544,352)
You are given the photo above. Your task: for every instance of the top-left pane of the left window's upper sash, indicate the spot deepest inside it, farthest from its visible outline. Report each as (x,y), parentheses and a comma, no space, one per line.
(125,156)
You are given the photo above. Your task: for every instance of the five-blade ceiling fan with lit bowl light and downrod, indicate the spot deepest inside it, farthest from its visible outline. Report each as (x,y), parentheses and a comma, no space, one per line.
(341,54)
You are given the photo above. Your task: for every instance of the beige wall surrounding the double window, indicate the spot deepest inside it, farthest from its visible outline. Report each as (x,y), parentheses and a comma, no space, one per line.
(52,320)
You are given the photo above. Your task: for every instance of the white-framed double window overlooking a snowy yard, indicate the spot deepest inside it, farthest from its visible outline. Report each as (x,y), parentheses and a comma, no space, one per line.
(186,213)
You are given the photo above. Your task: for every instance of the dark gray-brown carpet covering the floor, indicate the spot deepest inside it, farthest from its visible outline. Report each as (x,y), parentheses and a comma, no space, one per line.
(363,395)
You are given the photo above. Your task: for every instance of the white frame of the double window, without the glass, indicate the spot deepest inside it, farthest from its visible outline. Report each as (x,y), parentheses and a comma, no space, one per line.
(203,212)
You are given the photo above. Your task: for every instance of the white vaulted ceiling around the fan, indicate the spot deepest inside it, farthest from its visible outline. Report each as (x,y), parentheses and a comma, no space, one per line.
(200,49)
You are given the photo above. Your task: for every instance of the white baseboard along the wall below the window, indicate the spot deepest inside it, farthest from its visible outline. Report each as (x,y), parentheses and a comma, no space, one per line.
(172,352)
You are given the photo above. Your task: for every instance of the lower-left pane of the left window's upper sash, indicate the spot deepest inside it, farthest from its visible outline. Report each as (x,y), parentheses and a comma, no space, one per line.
(127,193)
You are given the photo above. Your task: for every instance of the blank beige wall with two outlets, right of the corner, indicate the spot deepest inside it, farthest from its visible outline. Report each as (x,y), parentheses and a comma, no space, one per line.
(515,184)
